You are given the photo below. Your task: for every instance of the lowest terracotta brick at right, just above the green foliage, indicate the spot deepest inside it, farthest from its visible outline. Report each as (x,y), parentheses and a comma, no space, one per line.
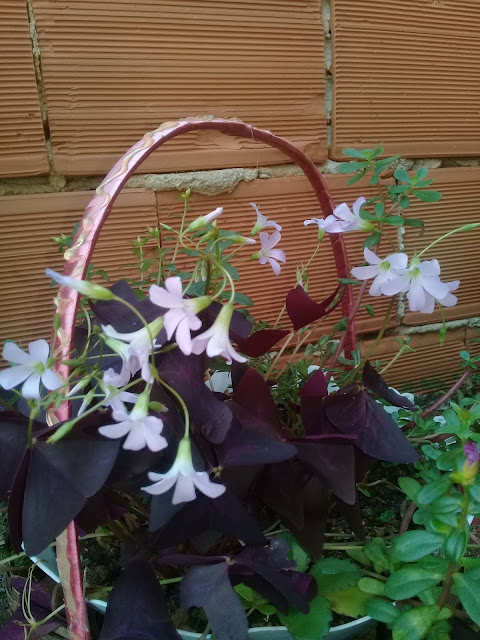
(433,366)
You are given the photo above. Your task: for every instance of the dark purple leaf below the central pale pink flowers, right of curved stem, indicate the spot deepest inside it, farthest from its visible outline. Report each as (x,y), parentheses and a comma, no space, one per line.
(186,375)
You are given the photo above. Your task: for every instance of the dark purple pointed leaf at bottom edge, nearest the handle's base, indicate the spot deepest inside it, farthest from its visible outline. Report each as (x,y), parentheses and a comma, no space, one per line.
(136,608)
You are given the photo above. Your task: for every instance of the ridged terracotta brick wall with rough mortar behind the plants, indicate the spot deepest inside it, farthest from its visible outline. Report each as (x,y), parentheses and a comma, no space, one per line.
(82,80)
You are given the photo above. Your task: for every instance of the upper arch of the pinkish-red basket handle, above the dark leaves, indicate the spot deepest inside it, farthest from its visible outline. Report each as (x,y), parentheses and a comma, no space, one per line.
(79,254)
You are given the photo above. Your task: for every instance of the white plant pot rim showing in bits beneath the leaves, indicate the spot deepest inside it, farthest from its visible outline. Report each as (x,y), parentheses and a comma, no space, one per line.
(46,561)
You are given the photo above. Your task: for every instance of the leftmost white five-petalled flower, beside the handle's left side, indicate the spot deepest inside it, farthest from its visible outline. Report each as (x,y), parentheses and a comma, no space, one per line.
(30,368)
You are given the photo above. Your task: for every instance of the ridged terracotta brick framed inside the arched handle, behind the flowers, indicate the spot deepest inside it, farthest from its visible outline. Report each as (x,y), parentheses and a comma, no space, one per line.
(288,201)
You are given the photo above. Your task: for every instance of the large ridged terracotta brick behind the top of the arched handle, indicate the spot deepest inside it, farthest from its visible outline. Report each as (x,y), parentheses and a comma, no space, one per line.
(115,69)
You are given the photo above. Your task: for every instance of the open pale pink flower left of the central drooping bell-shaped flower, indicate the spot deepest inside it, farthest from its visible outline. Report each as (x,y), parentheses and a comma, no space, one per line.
(181,316)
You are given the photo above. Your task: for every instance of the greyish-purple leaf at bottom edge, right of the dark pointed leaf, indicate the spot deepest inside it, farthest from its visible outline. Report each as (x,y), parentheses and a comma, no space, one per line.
(210,588)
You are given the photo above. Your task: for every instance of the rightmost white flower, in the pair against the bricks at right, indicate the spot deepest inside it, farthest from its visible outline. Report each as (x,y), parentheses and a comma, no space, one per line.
(423,286)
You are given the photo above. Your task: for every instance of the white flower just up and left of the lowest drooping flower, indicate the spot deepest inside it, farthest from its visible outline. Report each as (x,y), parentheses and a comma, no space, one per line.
(143,430)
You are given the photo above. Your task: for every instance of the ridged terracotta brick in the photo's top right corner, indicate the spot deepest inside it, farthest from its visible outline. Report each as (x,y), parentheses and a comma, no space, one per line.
(407,72)
